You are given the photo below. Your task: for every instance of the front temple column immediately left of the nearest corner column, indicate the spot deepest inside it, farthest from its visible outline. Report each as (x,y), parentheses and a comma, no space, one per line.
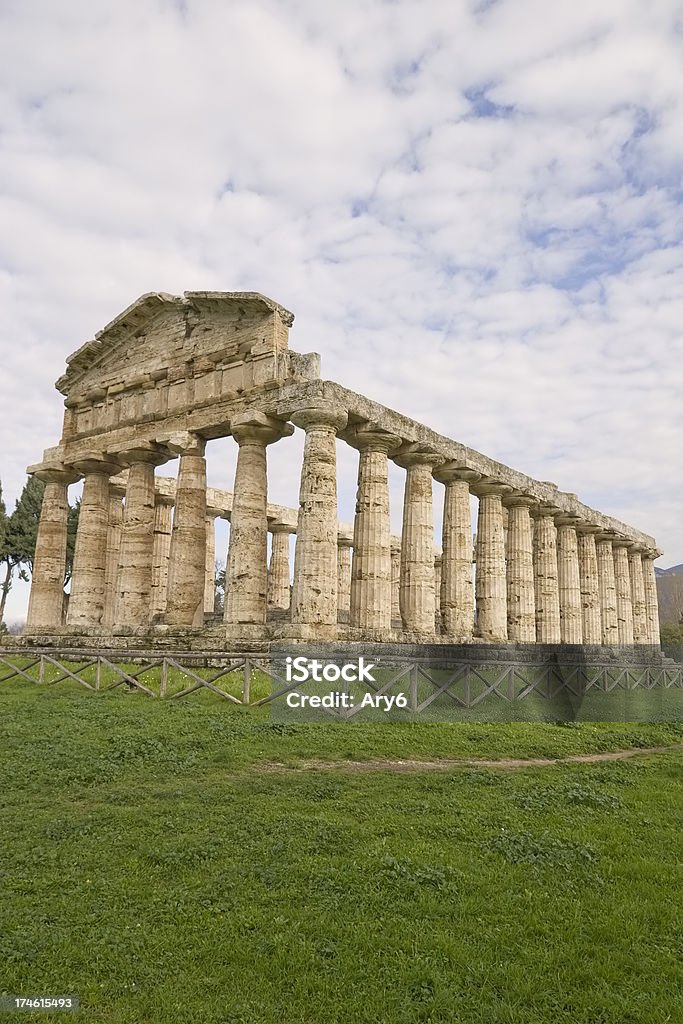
(247,571)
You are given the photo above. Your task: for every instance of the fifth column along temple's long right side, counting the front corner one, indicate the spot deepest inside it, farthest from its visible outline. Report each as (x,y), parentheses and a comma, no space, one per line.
(491,580)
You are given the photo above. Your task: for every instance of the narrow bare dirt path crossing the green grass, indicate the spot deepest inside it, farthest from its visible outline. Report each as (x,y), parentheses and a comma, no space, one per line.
(446,764)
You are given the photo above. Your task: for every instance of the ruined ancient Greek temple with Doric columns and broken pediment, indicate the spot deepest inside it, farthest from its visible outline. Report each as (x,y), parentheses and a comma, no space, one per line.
(170,375)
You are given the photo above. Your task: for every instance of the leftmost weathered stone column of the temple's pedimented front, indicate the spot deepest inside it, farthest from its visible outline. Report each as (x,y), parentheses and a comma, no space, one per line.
(48,583)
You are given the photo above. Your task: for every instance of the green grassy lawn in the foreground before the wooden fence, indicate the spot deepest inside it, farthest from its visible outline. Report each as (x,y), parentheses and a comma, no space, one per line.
(156,864)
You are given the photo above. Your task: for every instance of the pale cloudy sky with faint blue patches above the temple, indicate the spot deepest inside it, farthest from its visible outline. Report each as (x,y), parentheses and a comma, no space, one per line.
(474,209)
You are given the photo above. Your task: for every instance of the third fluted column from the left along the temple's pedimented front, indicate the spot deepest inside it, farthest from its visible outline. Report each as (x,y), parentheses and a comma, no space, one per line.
(134,607)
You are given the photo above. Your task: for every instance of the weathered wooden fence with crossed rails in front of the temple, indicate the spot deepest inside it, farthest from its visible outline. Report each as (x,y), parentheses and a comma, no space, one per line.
(254,680)
